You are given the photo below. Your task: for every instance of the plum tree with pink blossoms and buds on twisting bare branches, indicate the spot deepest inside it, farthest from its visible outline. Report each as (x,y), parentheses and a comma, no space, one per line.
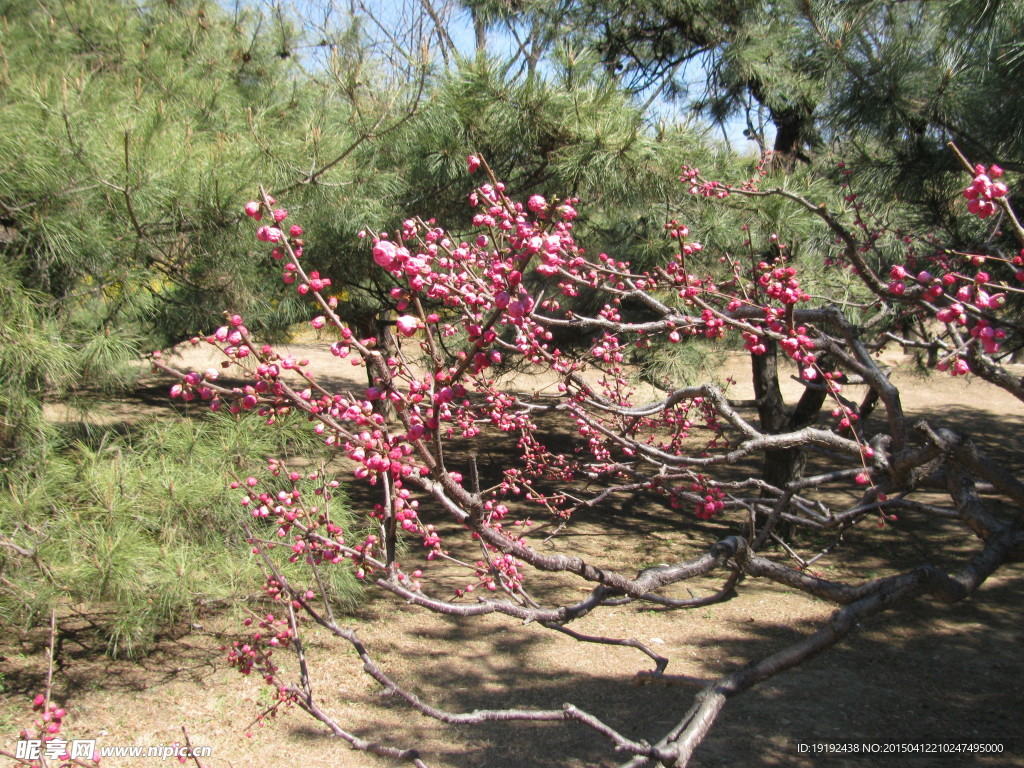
(502,290)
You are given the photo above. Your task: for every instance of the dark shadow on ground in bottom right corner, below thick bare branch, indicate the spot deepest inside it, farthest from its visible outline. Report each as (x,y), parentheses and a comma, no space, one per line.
(923,673)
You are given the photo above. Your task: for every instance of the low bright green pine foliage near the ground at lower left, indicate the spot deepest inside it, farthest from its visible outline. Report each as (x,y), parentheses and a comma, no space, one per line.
(146,527)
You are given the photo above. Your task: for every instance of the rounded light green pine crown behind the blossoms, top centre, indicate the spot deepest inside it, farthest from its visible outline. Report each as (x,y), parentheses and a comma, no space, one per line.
(563,135)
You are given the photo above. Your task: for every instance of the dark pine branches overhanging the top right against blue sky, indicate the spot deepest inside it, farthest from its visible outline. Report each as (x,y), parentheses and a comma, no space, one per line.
(895,79)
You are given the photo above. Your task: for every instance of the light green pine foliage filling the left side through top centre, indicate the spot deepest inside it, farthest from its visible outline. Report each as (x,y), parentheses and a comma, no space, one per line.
(133,138)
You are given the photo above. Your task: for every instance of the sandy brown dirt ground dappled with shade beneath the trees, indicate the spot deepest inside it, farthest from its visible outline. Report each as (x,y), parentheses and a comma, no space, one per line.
(923,673)
